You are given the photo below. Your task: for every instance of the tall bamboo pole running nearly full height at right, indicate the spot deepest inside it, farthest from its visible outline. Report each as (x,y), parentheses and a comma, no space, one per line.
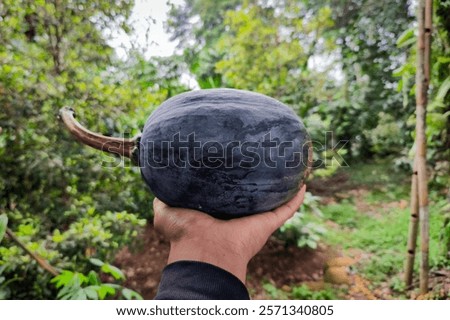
(424,18)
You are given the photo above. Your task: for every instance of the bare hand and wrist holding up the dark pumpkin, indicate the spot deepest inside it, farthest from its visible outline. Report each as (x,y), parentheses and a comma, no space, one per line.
(228,244)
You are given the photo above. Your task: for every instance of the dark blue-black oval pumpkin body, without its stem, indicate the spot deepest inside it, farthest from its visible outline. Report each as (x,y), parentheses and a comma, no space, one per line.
(181,160)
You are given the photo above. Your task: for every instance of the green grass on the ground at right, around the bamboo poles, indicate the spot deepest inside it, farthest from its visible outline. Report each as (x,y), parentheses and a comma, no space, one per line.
(375,222)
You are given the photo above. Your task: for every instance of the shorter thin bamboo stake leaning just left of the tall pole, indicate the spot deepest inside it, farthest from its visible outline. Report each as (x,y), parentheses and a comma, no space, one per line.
(413,228)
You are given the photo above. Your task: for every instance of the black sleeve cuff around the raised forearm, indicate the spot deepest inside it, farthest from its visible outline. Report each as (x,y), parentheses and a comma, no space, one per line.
(193,280)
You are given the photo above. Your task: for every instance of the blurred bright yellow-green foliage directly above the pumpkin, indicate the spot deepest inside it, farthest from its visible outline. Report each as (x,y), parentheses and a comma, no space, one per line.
(259,57)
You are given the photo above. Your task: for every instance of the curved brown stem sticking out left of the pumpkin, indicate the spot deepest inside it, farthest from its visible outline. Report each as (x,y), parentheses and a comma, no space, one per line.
(121,146)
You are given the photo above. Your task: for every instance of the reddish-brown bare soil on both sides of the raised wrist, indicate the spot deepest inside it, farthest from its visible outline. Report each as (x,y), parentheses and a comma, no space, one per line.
(277,264)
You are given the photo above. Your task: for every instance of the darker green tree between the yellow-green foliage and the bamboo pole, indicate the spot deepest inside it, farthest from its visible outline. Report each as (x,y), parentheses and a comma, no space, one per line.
(368,111)
